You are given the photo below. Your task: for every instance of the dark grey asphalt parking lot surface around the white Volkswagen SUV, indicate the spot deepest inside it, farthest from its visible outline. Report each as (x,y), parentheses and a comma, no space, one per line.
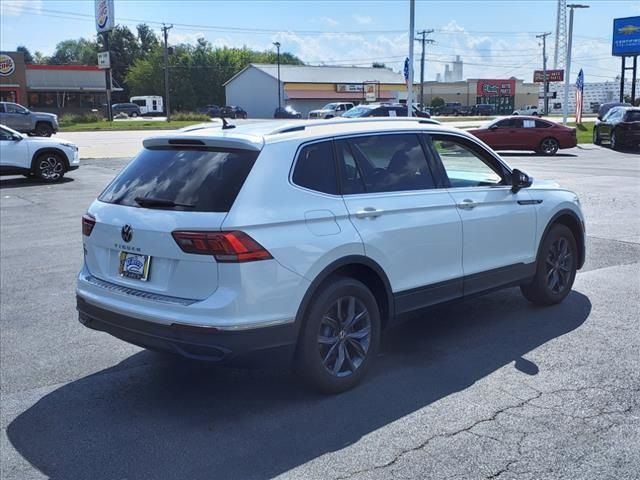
(489,388)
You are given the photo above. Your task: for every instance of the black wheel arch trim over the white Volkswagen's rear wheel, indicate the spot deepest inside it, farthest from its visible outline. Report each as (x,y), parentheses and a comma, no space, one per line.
(362,269)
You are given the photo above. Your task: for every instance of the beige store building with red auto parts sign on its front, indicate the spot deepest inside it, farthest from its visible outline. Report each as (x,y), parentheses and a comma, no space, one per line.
(506,94)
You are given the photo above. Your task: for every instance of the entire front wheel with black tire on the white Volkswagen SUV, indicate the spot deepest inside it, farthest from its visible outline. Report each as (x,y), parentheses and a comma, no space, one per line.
(556,267)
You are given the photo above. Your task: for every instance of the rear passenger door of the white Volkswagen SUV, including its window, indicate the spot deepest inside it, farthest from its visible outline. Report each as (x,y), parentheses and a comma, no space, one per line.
(408,226)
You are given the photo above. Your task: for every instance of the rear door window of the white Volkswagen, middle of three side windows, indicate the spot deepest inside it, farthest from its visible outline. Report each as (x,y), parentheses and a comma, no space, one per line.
(392,163)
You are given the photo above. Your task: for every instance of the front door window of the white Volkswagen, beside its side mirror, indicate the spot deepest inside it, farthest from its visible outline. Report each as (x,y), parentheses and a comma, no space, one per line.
(464,167)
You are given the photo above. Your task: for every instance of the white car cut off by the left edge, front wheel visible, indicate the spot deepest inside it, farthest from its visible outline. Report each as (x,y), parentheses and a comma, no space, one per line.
(47,159)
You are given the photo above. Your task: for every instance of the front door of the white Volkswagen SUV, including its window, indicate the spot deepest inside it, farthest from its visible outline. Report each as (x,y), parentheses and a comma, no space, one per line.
(499,226)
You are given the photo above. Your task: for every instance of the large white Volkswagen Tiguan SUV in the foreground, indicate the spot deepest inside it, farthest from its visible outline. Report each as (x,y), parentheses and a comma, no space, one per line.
(313,238)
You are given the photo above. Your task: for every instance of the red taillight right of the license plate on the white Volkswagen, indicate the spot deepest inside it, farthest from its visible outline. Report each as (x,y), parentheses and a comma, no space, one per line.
(229,247)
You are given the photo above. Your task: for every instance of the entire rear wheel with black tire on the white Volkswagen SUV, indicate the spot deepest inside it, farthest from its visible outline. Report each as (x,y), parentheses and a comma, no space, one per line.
(334,354)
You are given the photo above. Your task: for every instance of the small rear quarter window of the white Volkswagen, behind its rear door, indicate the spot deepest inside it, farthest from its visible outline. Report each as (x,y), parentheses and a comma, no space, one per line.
(315,168)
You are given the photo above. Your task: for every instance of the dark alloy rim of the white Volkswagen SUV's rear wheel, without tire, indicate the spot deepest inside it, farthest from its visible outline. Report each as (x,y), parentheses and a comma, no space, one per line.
(344,336)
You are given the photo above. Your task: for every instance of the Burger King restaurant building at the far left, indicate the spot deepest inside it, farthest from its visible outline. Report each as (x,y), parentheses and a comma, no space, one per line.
(51,88)
